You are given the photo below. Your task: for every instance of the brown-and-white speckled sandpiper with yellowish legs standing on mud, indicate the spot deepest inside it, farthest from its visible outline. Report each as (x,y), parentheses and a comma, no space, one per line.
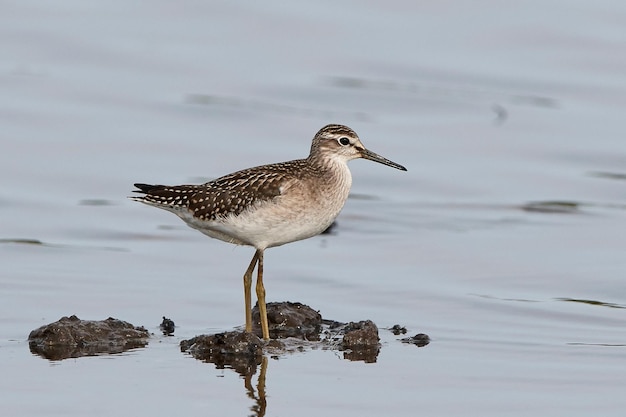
(269,205)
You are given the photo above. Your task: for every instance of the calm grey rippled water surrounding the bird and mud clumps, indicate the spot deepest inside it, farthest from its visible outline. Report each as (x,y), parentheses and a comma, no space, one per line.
(492,107)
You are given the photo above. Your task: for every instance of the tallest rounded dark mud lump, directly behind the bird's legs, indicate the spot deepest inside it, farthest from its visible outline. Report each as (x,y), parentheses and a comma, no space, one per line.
(286,319)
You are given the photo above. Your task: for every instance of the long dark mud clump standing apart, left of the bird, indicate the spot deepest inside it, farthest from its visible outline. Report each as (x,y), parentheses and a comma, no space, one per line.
(71,337)
